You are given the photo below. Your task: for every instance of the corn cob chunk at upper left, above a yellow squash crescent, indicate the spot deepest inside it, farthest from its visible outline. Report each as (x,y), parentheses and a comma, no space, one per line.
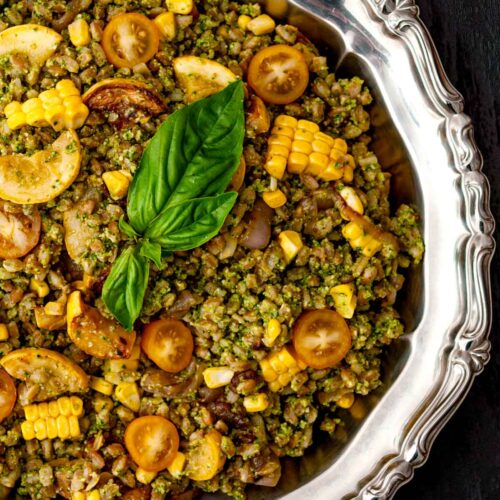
(58,107)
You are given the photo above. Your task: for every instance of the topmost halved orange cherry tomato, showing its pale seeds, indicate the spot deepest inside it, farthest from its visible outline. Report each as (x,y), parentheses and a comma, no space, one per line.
(130,39)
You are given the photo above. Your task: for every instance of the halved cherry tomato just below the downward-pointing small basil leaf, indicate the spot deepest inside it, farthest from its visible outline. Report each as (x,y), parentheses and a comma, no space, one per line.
(169,343)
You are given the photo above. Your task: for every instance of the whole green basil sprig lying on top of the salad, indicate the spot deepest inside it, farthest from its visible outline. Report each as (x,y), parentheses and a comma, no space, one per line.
(177,199)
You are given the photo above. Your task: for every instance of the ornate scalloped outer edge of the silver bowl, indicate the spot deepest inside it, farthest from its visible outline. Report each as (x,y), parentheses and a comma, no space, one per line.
(468,350)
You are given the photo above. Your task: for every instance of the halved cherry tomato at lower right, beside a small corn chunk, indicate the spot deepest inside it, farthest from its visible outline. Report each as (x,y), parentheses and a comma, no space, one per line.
(321,338)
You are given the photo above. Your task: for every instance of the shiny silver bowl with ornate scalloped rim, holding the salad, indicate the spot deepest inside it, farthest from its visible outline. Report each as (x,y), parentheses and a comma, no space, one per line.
(425,140)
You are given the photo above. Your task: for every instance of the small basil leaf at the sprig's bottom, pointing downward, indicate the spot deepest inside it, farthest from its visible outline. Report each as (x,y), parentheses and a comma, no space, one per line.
(124,288)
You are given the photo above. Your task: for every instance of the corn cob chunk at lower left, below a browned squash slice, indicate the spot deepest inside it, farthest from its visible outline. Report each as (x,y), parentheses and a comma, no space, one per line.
(58,418)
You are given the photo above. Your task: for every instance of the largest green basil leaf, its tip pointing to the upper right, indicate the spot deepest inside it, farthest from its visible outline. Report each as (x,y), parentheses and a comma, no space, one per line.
(194,154)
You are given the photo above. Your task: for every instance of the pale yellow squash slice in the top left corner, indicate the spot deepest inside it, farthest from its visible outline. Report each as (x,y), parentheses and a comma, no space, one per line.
(37,42)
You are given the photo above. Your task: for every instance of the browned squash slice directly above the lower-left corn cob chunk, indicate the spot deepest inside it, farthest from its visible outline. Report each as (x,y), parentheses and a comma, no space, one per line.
(47,372)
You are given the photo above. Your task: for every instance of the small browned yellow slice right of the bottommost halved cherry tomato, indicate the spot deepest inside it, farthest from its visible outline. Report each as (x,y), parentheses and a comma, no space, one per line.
(205,458)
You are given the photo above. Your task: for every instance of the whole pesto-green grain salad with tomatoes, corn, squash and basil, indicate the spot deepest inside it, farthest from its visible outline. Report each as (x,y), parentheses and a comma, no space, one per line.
(199,260)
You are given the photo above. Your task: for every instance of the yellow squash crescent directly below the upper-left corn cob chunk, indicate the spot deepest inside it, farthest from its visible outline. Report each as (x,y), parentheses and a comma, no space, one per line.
(43,176)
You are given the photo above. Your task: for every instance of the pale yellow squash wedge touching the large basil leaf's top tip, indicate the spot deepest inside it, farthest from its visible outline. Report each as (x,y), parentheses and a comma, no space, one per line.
(200,77)
